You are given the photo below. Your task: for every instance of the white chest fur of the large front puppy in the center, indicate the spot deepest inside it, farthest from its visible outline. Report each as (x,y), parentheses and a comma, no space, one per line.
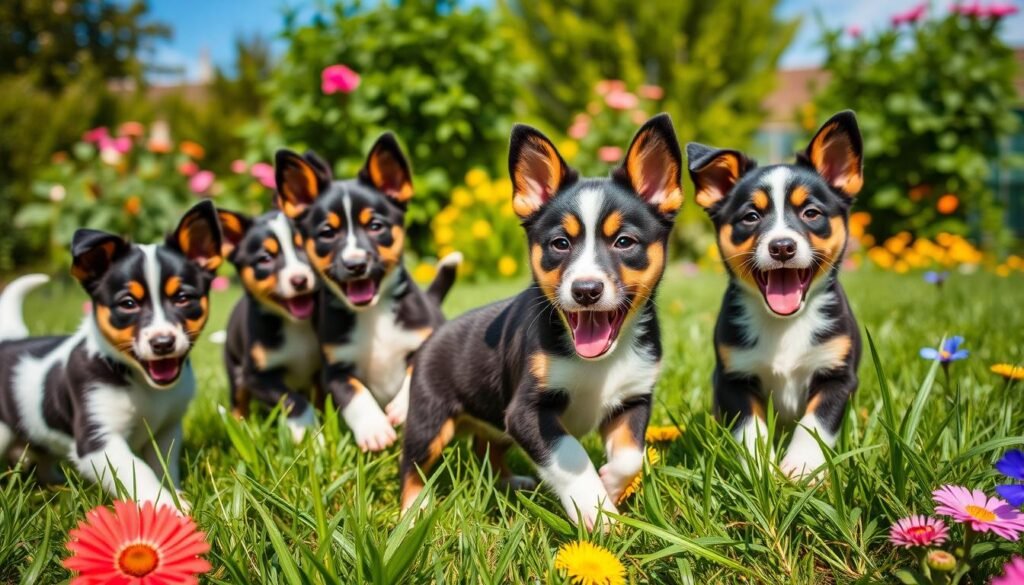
(595,389)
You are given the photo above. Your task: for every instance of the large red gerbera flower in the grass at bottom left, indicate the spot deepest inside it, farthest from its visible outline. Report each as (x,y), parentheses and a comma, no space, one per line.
(137,546)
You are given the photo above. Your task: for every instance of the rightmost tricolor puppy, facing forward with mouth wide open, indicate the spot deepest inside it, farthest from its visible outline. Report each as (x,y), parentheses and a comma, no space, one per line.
(786,330)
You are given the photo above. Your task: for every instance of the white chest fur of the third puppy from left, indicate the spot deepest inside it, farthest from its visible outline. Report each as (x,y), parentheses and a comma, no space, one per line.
(378,348)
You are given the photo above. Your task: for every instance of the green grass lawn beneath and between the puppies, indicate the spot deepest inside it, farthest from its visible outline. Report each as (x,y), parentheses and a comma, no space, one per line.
(279,513)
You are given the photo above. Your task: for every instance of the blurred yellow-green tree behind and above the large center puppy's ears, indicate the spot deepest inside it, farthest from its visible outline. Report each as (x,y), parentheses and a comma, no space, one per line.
(715,59)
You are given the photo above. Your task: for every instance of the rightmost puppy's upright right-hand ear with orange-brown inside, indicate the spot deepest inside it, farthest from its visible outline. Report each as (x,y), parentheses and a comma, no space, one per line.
(837,154)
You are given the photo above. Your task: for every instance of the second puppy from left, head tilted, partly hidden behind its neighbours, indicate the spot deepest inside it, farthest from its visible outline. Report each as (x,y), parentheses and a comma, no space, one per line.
(272,353)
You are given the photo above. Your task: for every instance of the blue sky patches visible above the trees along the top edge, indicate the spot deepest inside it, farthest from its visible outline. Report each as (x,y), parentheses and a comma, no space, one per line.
(214,25)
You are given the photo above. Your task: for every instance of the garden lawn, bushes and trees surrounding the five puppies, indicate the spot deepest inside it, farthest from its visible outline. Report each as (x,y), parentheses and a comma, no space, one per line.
(99,133)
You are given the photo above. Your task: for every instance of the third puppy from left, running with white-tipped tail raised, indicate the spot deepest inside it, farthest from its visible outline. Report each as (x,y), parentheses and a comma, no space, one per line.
(371,316)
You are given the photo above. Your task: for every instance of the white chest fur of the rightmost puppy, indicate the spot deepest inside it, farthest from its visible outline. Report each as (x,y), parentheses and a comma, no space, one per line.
(785,357)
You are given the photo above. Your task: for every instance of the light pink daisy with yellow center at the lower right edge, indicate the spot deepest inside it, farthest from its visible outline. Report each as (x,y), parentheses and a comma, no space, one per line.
(980,513)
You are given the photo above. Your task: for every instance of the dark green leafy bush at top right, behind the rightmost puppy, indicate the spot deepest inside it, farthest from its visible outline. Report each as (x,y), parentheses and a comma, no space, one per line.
(933,99)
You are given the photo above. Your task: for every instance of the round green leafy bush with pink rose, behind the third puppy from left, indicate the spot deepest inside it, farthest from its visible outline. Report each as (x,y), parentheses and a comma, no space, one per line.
(437,74)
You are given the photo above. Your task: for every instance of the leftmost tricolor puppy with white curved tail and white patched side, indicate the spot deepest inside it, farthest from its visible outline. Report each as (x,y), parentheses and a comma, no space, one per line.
(94,397)
